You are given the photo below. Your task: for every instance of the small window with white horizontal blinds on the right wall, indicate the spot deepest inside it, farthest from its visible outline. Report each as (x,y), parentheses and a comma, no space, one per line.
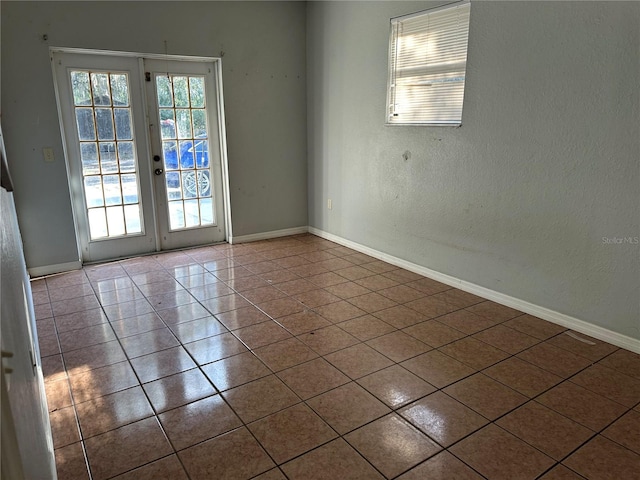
(427,60)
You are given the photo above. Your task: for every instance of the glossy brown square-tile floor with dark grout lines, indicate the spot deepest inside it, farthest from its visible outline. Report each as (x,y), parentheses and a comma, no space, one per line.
(298,358)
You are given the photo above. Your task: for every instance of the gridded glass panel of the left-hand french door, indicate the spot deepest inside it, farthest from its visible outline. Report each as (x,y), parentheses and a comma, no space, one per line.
(109,168)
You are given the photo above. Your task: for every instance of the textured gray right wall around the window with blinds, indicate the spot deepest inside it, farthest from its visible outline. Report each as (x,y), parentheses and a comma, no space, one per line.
(519,198)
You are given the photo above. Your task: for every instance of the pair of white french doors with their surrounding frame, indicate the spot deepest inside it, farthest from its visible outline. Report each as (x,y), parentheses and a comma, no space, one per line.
(144,144)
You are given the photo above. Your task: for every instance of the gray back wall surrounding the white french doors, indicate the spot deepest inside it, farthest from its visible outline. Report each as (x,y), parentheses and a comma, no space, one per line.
(264,85)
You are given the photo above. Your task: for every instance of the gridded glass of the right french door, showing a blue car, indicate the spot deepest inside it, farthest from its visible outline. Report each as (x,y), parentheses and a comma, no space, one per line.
(183,117)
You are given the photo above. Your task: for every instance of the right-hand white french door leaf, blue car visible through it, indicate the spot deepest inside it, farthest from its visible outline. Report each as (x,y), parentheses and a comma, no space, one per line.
(186,152)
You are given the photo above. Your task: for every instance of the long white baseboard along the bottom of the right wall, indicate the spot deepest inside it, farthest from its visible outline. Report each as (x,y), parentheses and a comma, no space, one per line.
(595,331)
